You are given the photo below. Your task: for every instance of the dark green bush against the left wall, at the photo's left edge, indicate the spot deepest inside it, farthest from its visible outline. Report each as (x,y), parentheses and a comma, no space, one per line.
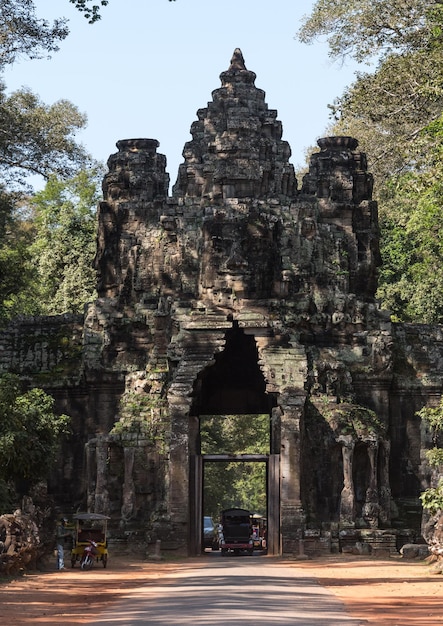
(29,431)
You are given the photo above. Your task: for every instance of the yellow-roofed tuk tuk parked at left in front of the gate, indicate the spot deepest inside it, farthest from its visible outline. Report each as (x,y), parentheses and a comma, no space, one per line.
(90,529)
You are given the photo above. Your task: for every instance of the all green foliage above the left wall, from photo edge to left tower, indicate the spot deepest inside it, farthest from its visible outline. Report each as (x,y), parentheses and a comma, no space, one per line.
(47,248)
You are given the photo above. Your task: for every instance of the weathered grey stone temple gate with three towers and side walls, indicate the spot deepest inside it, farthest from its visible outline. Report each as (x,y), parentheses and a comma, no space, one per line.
(241,293)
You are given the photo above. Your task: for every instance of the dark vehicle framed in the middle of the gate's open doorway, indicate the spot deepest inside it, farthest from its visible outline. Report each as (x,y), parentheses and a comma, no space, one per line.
(236,531)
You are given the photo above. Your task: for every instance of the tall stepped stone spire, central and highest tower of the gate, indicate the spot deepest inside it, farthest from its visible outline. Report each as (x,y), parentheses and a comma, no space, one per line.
(237,148)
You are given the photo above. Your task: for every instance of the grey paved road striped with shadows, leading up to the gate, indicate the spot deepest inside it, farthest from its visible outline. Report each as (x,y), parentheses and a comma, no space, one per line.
(231,591)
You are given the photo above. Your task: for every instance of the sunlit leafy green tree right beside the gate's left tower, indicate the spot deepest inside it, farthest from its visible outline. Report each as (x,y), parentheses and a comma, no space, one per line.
(63,250)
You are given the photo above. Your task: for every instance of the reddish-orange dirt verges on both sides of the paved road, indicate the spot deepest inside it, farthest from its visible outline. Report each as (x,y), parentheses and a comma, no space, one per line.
(383,592)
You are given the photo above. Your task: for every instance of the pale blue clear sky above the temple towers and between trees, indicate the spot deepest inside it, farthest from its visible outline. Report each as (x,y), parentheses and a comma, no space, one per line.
(148,65)
